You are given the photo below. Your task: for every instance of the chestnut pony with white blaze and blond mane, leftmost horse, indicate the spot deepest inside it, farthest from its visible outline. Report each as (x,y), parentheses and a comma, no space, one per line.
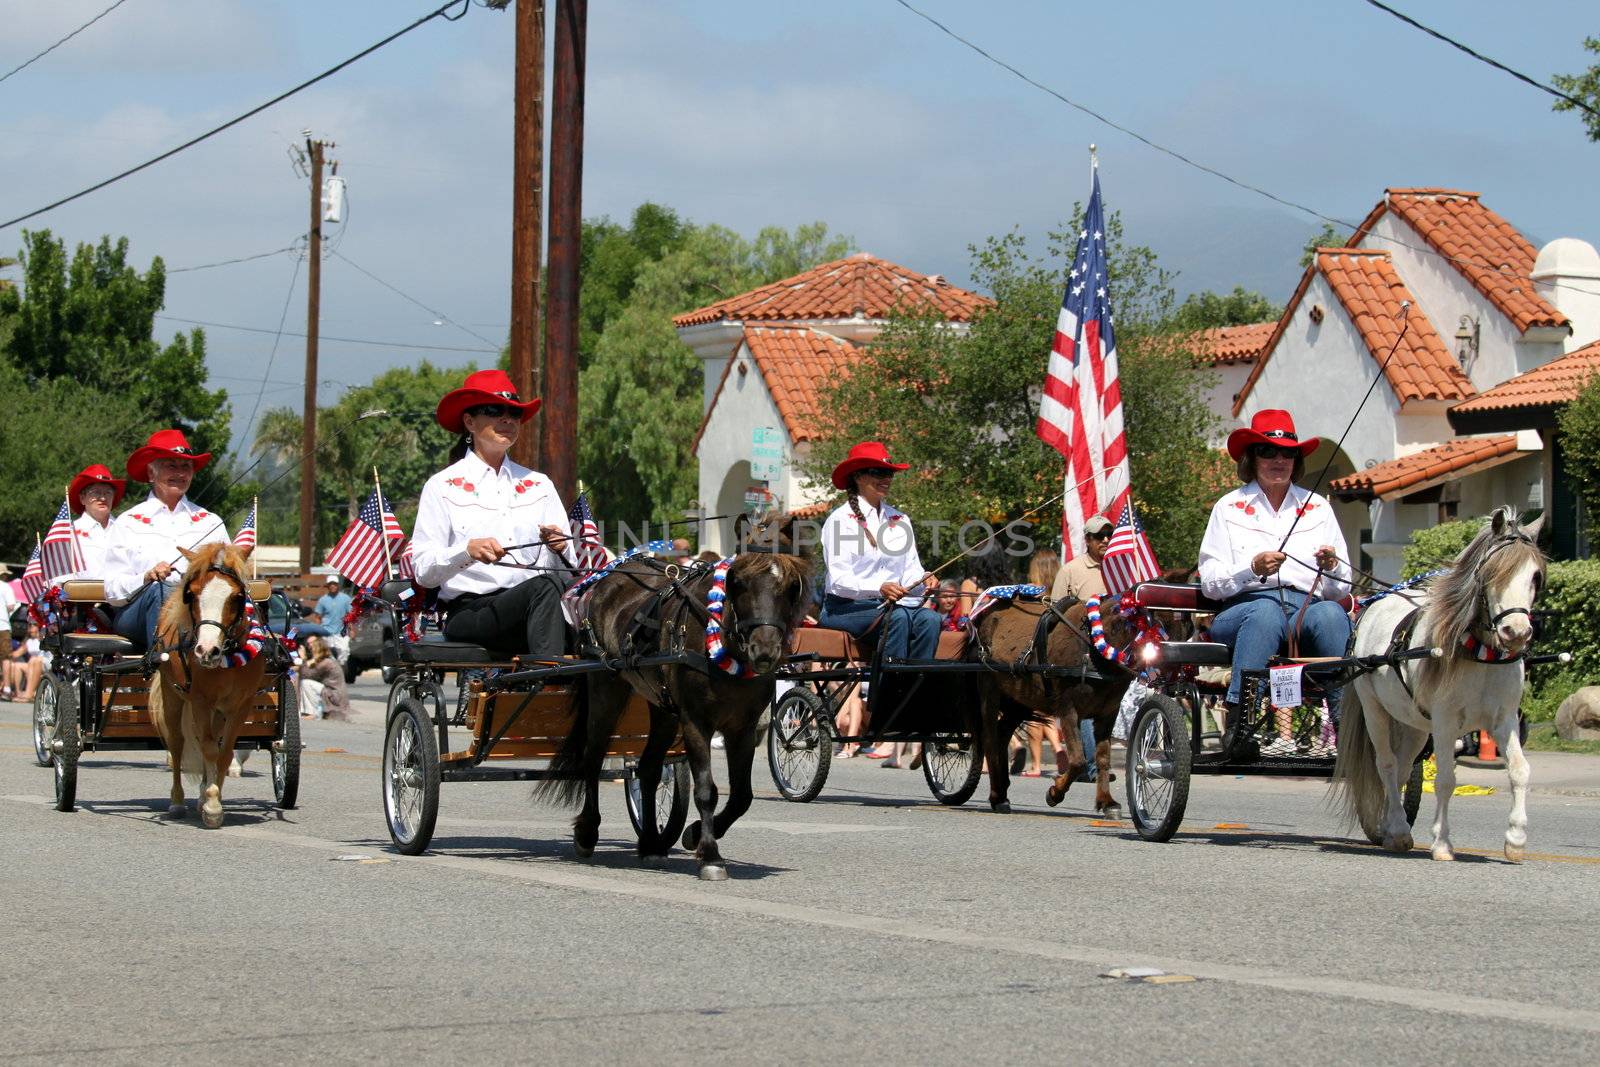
(199,701)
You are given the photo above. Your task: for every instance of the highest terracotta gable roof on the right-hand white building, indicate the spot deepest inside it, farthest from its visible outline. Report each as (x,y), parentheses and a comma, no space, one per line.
(1486,249)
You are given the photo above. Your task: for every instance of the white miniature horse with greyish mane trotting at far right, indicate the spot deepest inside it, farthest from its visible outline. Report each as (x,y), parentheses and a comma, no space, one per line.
(1479,613)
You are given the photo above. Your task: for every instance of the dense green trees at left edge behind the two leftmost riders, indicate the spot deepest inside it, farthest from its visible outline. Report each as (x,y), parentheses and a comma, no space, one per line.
(82,380)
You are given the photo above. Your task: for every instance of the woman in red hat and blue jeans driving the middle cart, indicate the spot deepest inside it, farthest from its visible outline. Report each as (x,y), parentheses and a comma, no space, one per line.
(873,561)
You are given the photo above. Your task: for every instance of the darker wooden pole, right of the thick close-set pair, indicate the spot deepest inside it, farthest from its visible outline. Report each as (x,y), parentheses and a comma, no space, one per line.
(559,433)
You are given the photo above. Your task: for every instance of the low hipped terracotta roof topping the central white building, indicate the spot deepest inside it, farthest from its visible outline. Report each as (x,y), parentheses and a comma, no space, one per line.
(857,287)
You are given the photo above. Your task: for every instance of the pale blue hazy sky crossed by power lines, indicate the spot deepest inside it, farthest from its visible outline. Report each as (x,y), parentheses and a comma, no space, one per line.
(750,114)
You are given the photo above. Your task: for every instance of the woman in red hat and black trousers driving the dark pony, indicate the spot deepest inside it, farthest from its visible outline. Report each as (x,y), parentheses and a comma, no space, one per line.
(474,510)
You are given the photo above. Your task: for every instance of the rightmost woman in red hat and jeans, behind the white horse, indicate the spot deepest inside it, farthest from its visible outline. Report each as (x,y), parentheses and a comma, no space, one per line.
(1265,585)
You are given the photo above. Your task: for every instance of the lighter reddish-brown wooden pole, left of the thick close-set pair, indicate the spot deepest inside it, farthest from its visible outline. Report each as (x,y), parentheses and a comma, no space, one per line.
(527,218)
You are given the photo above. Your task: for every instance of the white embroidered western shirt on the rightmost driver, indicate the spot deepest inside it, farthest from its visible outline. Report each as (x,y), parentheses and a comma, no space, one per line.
(1244,524)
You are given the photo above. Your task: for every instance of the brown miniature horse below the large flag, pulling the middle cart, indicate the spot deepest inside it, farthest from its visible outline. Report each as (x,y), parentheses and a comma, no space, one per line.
(1006,633)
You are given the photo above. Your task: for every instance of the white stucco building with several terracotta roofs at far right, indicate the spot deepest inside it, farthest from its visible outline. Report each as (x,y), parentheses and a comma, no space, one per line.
(1462,302)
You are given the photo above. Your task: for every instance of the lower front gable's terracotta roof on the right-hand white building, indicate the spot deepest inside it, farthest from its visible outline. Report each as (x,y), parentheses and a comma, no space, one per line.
(1367,287)
